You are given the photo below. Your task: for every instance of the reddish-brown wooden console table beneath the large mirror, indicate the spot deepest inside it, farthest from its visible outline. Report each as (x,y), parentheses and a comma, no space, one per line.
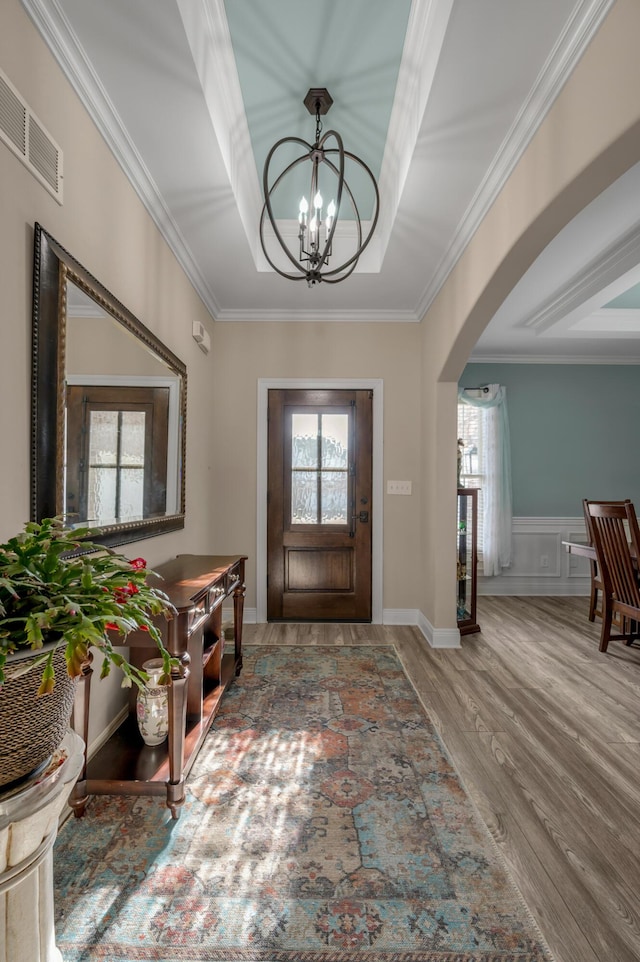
(197,585)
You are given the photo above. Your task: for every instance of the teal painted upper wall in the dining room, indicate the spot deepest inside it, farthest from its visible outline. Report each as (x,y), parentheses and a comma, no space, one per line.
(575,433)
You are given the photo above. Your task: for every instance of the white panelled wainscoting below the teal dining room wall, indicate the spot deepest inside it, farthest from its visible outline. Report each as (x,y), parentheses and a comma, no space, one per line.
(534,541)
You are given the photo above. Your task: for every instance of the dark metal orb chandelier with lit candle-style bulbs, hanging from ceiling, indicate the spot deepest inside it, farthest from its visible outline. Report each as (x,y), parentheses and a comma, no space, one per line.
(310,253)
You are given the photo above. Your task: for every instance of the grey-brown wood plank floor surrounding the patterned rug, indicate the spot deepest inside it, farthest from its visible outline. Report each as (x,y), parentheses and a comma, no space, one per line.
(545,732)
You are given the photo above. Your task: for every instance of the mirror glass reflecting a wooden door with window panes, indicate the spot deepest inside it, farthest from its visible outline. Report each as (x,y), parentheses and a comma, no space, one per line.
(114,447)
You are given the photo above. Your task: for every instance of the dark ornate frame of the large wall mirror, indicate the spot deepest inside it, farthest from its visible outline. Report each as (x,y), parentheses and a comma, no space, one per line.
(52,267)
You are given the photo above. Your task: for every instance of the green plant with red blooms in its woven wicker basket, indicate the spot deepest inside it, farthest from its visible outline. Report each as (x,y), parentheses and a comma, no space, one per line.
(60,594)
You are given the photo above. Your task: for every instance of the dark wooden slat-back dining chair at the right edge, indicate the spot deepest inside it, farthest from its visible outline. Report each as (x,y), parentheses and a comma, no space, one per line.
(616,539)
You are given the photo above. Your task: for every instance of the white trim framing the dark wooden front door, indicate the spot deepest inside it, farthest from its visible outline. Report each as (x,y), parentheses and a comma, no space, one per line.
(336,384)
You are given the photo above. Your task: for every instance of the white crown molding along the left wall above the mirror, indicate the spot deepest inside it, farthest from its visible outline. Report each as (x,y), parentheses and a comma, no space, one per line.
(65,46)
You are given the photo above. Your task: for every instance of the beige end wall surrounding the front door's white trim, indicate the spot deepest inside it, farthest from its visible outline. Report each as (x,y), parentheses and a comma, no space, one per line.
(245,352)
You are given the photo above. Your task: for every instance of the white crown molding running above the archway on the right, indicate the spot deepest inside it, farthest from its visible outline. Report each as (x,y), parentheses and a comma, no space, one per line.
(578,33)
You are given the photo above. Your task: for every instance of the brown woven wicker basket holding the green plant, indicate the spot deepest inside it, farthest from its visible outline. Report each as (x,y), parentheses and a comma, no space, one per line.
(32,726)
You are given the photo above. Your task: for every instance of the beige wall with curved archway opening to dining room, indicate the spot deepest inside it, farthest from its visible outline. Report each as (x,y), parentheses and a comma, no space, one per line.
(590,137)
